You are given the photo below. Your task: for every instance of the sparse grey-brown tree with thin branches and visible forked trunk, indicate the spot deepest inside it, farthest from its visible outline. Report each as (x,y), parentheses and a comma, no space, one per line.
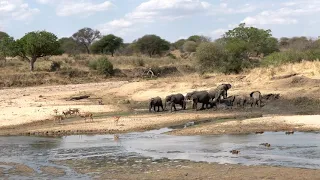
(86,37)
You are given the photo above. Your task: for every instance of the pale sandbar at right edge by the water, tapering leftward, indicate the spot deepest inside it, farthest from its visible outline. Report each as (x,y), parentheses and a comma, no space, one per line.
(272,123)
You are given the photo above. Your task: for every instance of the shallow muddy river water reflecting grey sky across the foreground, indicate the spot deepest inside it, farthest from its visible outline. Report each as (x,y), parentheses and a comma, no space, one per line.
(297,150)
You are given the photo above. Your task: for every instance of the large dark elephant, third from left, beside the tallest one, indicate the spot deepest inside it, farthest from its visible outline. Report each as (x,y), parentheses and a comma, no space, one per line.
(199,97)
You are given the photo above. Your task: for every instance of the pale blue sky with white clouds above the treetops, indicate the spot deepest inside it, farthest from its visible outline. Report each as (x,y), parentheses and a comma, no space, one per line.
(169,19)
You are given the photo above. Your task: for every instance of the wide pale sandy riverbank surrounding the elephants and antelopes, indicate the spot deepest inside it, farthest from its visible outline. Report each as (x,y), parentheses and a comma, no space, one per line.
(30,110)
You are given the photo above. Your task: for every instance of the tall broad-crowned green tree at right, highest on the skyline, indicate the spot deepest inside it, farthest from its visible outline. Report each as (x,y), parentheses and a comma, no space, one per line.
(255,41)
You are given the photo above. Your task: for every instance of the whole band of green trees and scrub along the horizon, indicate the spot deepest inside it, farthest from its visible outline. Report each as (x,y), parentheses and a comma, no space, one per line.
(238,49)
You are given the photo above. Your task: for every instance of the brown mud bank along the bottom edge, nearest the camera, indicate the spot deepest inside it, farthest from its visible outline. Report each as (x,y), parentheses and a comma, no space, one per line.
(132,169)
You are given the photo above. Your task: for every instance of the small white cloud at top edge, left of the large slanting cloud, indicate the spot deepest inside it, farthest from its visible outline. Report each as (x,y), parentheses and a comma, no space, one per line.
(84,8)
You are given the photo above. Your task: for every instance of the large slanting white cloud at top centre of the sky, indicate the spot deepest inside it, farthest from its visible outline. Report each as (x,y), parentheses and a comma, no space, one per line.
(153,10)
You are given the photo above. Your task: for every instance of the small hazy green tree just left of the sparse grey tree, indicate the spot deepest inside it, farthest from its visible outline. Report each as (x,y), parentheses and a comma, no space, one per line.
(70,46)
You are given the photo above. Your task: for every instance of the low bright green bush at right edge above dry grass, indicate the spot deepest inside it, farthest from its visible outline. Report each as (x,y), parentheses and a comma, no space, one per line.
(279,58)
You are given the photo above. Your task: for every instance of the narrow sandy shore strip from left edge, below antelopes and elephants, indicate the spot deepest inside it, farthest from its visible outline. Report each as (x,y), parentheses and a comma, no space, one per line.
(127,123)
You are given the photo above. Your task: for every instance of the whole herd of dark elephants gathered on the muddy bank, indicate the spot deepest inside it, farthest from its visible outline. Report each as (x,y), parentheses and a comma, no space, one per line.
(208,99)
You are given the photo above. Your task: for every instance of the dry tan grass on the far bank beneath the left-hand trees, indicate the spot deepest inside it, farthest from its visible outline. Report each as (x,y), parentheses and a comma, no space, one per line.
(73,69)
